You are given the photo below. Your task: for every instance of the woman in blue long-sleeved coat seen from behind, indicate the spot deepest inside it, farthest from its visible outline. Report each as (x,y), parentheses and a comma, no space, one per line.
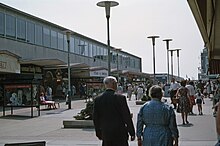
(156,122)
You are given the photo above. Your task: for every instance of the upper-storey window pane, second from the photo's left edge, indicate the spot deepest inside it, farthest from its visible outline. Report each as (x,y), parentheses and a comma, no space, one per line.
(10,25)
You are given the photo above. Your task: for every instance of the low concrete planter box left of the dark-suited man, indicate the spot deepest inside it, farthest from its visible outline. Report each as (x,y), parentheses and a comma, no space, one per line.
(78,124)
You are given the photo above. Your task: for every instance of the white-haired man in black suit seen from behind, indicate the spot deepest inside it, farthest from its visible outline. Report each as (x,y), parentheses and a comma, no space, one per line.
(111,116)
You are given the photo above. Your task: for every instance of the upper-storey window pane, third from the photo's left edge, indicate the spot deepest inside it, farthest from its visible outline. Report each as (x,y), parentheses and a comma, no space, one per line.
(21,29)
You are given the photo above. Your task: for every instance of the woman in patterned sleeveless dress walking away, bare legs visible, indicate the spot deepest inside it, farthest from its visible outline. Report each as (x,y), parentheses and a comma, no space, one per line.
(184,105)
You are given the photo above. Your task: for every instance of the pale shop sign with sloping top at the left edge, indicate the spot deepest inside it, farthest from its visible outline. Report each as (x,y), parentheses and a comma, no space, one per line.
(9,64)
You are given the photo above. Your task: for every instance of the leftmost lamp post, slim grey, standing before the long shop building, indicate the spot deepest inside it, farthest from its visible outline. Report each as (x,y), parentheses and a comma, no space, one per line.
(68,34)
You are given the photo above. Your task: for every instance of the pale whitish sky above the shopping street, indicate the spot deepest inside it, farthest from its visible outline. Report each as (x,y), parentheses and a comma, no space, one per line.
(131,22)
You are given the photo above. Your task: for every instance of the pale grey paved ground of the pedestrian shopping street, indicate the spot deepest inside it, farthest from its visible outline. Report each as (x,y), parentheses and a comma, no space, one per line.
(21,128)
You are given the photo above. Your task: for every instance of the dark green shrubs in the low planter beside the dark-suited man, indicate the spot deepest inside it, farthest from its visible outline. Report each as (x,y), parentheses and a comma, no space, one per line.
(85,114)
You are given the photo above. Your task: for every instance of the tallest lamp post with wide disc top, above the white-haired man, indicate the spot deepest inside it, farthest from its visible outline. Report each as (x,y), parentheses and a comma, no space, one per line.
(108,5)
